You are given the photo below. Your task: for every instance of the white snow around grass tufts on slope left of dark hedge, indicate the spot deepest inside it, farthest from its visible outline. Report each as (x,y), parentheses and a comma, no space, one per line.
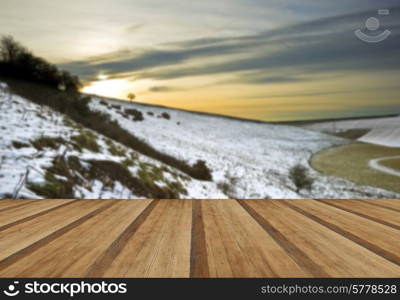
(21,164)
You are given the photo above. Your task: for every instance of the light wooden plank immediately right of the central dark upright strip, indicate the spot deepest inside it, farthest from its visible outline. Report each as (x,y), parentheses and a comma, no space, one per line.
(237,246)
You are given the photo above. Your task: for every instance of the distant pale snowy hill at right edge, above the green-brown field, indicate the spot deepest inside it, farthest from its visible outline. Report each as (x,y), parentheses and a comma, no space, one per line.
(381,131)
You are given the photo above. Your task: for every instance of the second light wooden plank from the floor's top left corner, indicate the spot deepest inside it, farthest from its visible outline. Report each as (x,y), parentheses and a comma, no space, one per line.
(28,211)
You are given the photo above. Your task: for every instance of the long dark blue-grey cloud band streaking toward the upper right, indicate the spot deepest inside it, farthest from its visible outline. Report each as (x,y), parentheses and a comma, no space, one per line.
(312,47)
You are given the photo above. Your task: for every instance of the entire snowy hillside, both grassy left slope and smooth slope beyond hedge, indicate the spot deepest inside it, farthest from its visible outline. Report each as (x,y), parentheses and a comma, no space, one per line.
(45,154)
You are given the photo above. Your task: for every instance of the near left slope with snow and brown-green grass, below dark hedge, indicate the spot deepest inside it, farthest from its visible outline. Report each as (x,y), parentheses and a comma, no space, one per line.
(42,153)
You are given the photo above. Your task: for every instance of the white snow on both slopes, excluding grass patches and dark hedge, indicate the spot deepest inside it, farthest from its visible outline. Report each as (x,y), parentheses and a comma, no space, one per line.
(249,159)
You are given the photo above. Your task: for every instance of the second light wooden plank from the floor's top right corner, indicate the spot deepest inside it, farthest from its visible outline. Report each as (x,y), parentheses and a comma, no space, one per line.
(377,214)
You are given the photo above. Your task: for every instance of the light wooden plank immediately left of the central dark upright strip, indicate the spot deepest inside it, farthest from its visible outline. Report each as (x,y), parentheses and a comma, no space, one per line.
(161,245)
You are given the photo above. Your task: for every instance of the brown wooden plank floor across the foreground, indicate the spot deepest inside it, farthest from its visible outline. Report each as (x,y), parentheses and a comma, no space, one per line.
(199,238)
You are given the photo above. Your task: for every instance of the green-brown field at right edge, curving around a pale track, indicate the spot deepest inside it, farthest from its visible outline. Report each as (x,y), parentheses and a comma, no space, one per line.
(351,162)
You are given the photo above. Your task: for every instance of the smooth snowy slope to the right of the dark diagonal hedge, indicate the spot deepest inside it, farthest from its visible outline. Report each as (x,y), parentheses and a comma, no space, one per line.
(248,159)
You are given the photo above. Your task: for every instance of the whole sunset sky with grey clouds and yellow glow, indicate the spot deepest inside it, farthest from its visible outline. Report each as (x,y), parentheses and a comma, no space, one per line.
(261,59)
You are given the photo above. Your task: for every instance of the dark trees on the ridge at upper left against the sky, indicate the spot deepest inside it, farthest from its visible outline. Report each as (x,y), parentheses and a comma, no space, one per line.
(18,62)
